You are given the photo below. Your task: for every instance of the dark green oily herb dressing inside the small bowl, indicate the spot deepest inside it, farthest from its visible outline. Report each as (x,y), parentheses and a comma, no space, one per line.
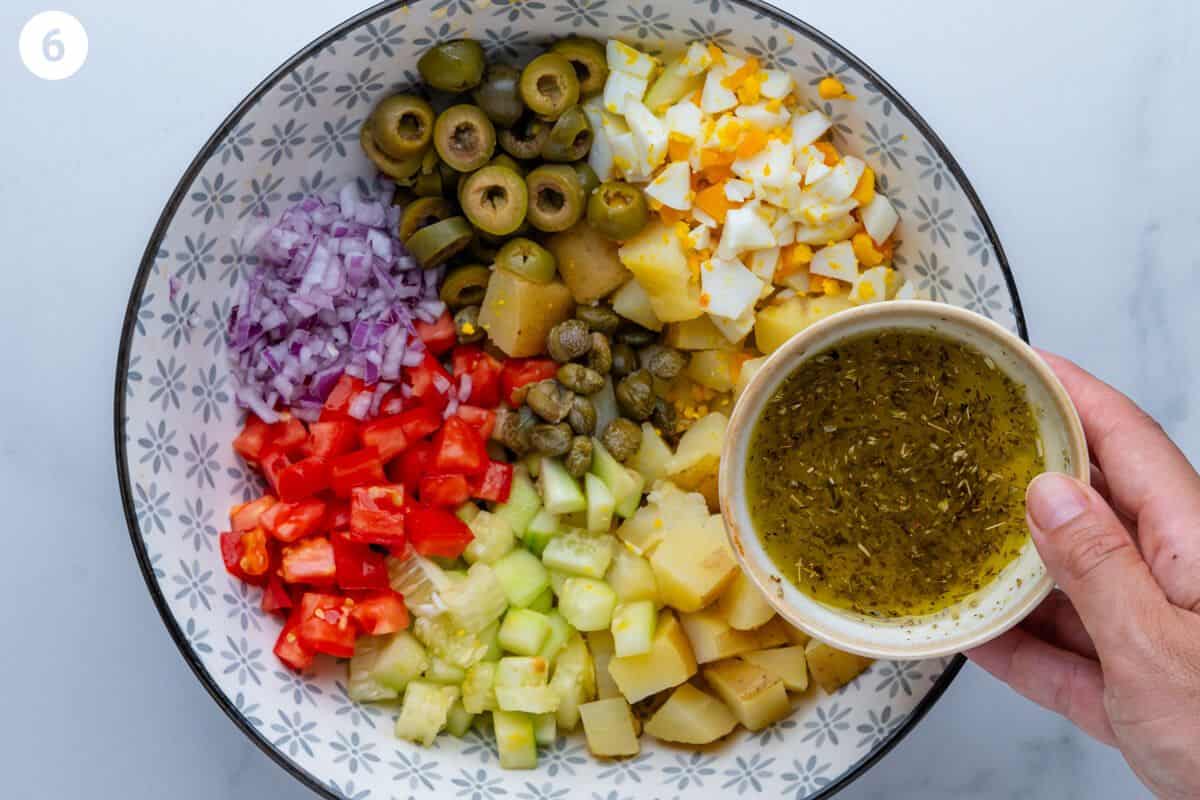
(887,474)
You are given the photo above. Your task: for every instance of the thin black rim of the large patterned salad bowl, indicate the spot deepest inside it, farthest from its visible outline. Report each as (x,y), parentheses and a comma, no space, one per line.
(207,153)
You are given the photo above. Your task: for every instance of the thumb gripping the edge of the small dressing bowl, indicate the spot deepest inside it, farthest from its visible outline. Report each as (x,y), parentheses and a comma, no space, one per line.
(1093,557)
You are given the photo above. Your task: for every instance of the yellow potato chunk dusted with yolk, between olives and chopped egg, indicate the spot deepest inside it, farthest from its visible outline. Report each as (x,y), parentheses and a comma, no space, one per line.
(659,262)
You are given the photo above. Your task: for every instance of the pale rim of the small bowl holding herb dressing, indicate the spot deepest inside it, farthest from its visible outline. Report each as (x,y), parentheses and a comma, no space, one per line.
(958,326)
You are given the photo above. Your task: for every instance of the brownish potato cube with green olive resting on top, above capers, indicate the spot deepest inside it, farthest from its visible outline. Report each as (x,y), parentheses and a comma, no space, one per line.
(518,314)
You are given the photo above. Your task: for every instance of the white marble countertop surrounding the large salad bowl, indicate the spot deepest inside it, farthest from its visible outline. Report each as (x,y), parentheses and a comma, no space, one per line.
(1075,121)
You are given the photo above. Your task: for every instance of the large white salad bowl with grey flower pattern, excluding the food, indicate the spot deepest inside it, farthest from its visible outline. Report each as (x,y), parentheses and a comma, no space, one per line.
(297,133)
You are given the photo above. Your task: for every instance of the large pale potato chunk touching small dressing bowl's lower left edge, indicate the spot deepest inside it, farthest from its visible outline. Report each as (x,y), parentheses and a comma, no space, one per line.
(692,572)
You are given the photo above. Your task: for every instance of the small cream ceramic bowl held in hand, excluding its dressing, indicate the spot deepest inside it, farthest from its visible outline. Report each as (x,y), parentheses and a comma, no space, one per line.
(985,615)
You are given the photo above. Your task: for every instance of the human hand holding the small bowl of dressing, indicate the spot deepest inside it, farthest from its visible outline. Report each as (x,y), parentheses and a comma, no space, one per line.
(1117,651)
